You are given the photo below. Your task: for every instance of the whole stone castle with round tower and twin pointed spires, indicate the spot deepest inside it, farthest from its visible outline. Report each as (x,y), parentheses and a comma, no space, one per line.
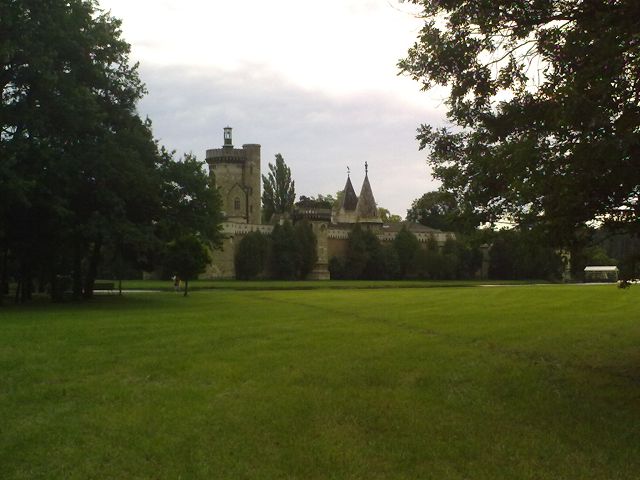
(238,178)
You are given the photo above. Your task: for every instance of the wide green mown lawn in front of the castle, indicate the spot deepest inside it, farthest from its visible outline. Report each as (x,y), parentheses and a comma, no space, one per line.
(519,382)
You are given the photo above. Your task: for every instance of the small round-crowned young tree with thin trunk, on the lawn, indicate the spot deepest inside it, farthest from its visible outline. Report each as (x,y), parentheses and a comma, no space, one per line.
(187,256)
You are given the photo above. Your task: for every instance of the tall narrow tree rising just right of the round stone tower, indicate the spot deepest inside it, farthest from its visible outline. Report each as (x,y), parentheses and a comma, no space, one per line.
(278,189)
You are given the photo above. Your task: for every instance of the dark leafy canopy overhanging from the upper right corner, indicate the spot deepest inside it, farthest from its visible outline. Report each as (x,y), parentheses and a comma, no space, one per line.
(546,99)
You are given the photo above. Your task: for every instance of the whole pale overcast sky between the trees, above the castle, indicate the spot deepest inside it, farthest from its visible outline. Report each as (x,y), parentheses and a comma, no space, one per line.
(314,81)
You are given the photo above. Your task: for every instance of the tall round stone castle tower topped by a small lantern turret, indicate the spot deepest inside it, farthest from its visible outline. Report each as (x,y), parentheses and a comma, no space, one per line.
(237,176)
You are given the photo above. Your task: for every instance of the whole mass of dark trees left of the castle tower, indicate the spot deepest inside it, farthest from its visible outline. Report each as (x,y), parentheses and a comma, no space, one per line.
(81,177)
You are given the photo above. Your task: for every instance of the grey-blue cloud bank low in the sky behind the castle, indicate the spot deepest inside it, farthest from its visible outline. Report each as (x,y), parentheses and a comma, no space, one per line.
(318,134)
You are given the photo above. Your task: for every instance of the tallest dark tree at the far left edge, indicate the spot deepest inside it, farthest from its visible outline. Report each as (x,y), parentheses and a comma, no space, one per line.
(68,92)
